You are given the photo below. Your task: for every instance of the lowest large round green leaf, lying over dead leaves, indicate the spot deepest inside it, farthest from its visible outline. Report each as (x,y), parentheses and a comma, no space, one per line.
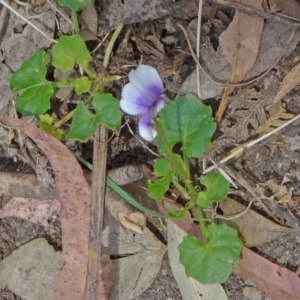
(213,262)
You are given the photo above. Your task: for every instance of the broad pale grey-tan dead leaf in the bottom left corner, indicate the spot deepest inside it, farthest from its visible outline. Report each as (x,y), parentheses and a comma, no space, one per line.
(30,271)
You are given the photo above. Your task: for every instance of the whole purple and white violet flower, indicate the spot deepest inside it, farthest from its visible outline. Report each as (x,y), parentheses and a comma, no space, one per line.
(143,95)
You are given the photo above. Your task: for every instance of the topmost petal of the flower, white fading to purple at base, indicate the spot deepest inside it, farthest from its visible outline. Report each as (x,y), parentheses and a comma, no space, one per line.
(146,79)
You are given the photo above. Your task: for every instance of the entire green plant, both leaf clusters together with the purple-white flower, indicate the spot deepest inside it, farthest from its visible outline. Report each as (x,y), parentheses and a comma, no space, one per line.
(185,122)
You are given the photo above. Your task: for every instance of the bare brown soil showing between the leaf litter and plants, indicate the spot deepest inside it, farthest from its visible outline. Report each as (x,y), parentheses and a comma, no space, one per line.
(272,159)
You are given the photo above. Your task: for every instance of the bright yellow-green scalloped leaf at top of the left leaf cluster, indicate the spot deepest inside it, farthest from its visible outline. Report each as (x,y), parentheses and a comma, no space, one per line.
(68,51)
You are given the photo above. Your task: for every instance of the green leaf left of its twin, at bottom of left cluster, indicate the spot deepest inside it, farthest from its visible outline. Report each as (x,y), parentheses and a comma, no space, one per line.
(83,124)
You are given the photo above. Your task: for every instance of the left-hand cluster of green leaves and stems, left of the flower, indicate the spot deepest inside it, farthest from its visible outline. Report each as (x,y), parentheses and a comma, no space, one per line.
(35,91)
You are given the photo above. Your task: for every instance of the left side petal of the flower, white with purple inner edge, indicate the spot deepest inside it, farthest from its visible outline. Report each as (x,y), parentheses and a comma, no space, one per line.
(135,101)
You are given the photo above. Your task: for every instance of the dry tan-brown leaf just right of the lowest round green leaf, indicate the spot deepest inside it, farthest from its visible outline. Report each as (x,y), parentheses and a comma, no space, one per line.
(254,228)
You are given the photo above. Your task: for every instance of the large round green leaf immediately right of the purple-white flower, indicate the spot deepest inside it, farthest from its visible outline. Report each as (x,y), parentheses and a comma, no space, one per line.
(187,121)
